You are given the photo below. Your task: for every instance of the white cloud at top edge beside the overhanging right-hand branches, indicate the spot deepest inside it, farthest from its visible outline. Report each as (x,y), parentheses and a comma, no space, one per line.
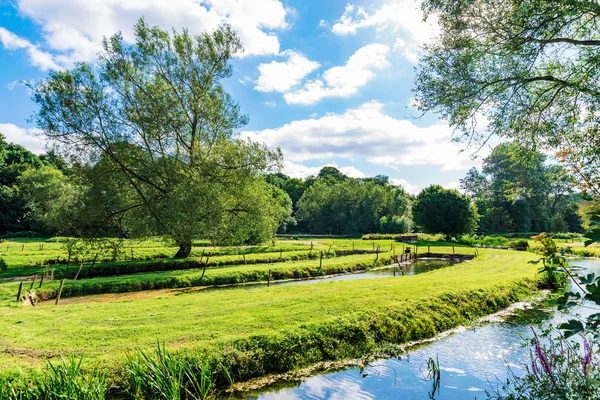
(404,16)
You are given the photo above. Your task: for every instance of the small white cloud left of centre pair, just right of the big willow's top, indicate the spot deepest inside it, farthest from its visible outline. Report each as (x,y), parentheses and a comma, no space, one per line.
(282,76)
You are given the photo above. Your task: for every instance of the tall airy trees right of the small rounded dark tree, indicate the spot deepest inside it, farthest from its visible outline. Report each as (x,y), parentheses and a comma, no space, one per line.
(517,191)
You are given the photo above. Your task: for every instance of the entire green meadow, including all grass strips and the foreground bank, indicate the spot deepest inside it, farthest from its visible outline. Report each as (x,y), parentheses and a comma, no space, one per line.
(243,332)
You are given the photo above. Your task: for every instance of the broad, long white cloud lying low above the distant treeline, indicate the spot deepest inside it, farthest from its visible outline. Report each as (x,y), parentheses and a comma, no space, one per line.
(366,132)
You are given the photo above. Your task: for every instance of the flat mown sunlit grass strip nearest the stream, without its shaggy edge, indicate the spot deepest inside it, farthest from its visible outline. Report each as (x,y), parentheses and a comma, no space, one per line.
(106,330)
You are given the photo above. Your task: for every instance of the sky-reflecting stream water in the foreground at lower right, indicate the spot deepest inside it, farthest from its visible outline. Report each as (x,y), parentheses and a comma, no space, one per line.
(472,361)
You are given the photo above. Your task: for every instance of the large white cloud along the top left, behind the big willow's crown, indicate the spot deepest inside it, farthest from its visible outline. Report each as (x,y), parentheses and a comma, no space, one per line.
(74,29)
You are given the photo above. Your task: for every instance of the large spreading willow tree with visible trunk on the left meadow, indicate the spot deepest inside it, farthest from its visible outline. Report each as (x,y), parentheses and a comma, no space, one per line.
(155,115)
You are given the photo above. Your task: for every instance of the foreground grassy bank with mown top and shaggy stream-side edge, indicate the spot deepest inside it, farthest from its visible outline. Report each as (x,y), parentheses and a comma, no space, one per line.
(250,332)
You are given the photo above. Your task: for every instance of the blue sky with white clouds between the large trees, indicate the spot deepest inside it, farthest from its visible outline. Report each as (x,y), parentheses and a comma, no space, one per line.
(329,82)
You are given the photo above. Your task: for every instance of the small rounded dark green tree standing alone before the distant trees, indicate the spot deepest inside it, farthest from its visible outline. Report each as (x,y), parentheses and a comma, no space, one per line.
(438,210)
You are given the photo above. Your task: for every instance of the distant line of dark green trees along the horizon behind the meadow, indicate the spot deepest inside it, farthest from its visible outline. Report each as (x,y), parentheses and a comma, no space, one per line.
(515,192)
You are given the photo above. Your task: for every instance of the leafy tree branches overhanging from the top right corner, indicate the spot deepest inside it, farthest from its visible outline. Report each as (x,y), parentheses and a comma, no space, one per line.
(531,67)
